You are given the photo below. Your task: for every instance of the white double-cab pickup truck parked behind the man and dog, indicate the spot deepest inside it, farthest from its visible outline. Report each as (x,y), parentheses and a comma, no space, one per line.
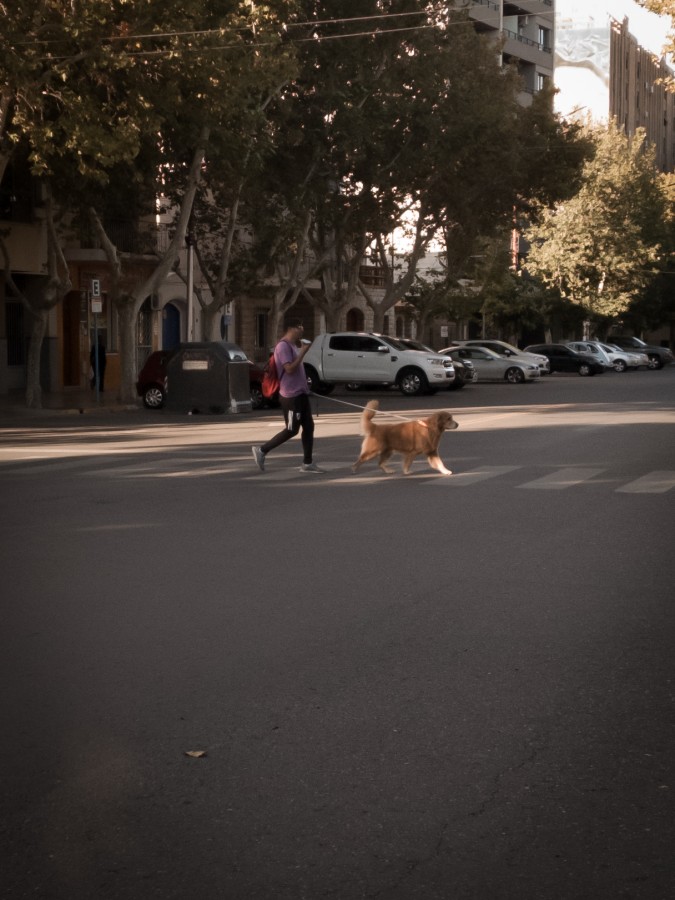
(352,356)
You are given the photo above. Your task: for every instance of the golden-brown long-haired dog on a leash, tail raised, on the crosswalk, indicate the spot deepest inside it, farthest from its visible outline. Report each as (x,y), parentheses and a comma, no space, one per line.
(411,439)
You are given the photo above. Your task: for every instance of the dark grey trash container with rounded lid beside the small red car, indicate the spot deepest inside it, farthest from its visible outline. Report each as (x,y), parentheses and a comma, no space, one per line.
(208,377)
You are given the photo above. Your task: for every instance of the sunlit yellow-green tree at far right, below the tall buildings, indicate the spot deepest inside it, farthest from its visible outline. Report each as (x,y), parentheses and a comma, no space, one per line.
(602,247)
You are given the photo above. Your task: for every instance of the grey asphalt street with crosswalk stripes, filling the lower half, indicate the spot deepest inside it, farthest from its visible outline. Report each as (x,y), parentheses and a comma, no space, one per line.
(404,688)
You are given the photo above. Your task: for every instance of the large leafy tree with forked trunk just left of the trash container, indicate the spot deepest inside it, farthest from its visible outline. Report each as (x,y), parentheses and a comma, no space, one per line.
(121,101)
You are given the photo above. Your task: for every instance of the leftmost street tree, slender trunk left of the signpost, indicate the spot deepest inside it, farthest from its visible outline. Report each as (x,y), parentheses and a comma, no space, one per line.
(50,114)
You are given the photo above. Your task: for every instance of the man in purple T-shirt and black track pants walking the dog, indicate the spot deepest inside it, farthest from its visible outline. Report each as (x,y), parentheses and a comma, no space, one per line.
(293,397)
